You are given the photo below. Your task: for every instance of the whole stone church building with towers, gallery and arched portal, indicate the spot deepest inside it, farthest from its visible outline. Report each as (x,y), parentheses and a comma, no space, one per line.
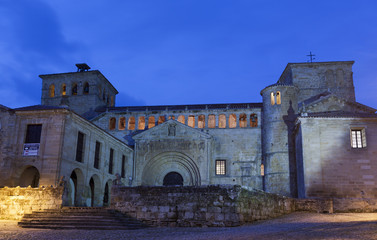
(308,138)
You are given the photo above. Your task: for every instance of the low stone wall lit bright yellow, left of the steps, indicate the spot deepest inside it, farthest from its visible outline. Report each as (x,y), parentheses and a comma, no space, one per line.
(15,202)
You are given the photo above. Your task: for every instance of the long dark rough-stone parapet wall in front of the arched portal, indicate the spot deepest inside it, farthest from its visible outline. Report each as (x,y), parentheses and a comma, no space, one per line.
(213,206)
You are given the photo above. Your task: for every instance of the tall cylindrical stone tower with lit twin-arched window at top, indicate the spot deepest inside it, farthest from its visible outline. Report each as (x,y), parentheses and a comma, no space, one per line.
(279,106)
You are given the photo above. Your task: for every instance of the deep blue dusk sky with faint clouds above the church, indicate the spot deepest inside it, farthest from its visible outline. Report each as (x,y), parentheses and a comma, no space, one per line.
(159,52)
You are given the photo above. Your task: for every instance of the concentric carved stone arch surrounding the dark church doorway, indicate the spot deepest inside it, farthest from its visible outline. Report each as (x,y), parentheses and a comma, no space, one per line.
(159,166)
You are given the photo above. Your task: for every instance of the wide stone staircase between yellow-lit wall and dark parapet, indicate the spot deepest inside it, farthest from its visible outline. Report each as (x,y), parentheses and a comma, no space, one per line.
(89,218)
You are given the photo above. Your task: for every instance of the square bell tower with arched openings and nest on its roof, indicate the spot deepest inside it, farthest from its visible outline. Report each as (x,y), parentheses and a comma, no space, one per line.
(83,91)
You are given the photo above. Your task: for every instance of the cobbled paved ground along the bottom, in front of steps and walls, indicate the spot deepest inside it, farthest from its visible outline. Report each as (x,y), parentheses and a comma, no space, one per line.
(293,226)
